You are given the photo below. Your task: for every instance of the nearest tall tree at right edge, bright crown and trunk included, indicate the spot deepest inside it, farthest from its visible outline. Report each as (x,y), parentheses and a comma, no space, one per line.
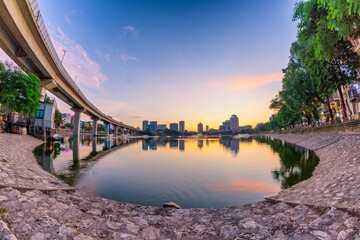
(333,51)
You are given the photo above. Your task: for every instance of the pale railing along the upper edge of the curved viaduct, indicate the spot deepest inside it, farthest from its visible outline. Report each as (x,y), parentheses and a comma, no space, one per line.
(41,24)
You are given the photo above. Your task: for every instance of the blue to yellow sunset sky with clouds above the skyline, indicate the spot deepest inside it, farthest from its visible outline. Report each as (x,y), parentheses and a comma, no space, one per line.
(167,61)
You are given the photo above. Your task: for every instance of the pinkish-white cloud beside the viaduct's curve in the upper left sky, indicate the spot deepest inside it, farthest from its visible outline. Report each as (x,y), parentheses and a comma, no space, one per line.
(77,61)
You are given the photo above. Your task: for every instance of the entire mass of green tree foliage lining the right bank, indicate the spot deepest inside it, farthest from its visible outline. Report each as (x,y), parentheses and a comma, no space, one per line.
(322,60)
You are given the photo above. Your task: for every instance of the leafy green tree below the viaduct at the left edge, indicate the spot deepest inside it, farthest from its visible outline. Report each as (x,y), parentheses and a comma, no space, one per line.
(19,91)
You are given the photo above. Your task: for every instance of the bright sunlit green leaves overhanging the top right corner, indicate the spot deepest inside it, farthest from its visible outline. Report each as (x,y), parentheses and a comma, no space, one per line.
(325,23)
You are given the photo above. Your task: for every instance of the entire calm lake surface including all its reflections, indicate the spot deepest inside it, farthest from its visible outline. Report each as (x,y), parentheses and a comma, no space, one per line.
(190,172)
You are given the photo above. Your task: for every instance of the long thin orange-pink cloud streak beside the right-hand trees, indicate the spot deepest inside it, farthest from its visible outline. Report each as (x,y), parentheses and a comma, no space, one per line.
(246,82)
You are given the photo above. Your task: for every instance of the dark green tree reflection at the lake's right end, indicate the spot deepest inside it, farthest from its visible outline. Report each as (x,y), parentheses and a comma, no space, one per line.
(297,163)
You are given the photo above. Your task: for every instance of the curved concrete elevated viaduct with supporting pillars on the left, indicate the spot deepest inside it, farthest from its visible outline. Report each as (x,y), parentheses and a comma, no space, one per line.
(24,38)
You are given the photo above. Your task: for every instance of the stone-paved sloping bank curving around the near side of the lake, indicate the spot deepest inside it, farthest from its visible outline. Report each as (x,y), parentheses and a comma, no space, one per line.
(36,205)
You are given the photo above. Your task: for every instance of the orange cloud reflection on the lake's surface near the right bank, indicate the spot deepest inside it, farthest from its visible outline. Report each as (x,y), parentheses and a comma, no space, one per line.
(246,185)
